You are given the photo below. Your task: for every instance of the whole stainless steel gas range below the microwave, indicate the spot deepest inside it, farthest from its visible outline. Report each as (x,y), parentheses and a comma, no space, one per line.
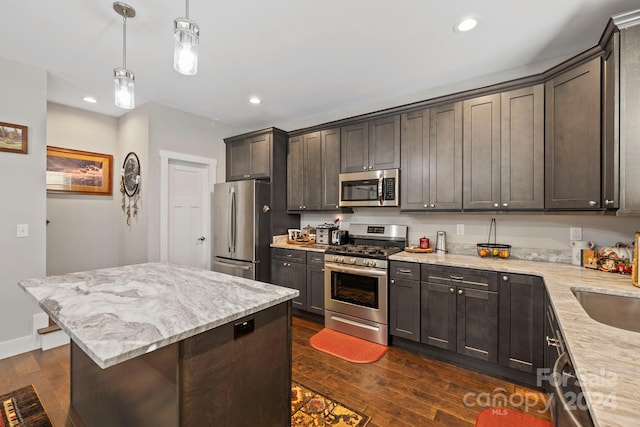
(356,282)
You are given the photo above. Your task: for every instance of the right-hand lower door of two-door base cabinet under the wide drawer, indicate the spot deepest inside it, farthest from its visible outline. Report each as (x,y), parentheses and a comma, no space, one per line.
(477,318)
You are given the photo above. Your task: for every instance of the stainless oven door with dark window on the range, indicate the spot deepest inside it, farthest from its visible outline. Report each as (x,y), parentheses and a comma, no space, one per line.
(356,291)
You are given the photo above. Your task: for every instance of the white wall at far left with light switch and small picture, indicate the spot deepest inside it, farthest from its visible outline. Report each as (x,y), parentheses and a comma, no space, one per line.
(23,91)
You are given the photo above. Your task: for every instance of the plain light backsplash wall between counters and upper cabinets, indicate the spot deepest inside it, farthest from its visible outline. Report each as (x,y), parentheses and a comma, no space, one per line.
(532,237)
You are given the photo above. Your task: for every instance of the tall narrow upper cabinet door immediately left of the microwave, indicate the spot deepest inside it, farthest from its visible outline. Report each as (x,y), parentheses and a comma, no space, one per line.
(330,169)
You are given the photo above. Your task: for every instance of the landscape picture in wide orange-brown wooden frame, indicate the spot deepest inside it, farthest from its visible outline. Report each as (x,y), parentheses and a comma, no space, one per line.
(79,172)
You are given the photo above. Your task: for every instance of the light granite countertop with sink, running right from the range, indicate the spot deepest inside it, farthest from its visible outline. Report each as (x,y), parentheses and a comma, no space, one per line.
(606,359)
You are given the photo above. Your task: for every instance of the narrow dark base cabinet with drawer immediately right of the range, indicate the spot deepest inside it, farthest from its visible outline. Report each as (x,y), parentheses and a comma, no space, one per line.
(404,300)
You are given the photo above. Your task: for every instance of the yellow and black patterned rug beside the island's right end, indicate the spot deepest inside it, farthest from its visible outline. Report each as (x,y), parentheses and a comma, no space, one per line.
(309,408)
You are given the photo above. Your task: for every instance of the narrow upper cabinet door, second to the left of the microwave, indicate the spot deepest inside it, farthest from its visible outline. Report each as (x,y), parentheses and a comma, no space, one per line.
(312,174)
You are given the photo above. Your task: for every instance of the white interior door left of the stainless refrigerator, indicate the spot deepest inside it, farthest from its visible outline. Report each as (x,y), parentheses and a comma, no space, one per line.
(188,244)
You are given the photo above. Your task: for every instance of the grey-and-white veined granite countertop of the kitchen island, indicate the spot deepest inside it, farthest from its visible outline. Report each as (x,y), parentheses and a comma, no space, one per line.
(116,314)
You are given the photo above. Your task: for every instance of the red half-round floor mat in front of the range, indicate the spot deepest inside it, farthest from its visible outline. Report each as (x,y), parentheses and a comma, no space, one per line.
(346,347)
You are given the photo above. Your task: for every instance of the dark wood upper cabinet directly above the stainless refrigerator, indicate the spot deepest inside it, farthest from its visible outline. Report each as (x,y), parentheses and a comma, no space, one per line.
(251,156)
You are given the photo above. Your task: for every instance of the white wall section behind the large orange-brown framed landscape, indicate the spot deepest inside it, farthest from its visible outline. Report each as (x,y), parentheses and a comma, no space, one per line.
(83,232)
